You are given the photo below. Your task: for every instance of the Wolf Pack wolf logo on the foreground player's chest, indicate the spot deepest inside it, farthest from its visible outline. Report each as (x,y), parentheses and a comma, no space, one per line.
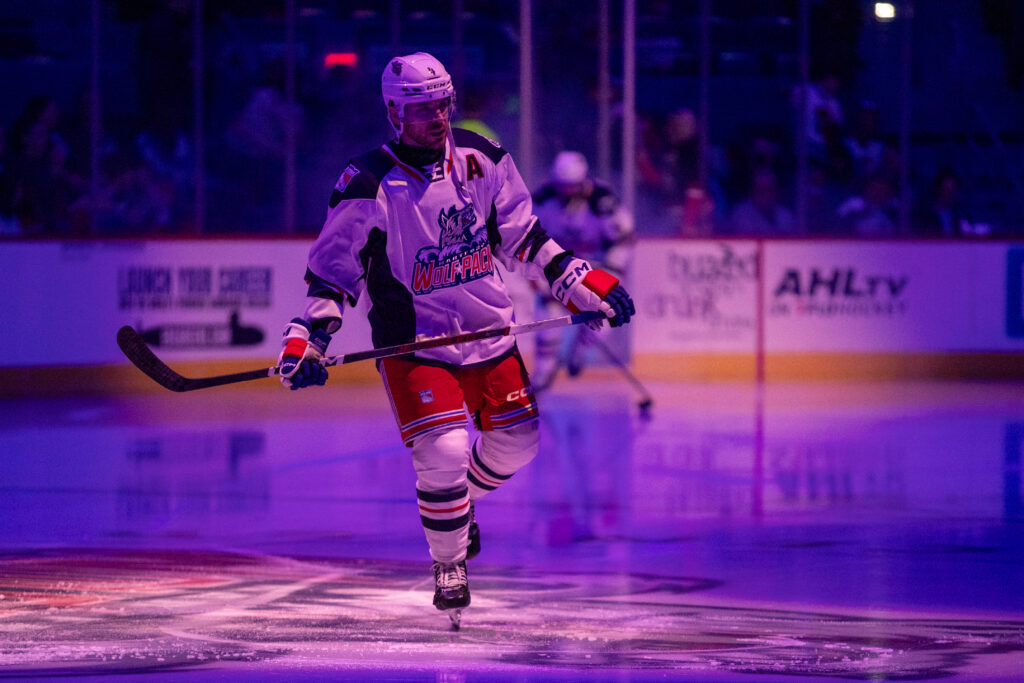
(461,255)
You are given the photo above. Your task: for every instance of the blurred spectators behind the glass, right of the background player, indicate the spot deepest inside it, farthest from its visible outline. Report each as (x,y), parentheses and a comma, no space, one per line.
(852,190)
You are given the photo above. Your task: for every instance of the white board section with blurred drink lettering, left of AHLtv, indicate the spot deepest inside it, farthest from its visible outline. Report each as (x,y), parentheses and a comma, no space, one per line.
(695,296)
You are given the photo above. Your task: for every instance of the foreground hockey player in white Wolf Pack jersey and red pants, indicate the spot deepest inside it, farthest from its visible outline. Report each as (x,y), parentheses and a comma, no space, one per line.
(416,226)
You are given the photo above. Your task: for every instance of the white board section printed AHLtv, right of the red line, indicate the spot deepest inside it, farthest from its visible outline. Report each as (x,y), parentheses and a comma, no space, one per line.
(885,297)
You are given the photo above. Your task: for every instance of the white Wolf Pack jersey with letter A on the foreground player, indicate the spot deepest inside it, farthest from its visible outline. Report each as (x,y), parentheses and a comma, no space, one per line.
(423,249)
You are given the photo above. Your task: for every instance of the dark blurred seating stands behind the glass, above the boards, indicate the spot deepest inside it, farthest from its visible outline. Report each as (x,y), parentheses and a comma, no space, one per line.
(108,133)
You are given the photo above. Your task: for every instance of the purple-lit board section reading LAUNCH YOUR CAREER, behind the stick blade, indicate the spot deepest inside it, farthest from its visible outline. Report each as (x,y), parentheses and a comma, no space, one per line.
(190,301)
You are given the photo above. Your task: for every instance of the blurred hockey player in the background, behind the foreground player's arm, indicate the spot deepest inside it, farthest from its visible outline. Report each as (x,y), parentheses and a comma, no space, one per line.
(582,215)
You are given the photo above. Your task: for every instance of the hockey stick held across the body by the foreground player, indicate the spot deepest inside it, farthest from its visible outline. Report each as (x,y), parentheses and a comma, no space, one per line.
(136,350)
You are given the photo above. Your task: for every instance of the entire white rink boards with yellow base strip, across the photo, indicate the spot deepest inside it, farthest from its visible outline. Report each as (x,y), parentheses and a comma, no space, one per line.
(707,309)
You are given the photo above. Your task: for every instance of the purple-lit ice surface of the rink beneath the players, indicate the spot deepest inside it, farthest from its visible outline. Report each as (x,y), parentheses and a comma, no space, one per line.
(860,532)
